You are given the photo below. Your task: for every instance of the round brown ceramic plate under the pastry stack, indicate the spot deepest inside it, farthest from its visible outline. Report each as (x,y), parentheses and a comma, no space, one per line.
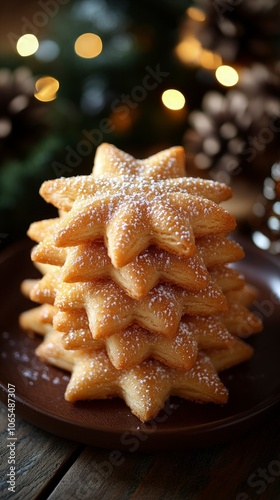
(254,386)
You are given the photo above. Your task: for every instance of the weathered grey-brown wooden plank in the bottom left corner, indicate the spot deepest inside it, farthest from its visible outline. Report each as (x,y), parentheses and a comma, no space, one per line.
(38,456)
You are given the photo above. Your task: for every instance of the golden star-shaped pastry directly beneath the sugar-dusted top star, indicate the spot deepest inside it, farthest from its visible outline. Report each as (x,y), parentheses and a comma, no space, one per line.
(90,262)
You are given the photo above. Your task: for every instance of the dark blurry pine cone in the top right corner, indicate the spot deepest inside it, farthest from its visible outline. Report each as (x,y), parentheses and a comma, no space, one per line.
(246,30)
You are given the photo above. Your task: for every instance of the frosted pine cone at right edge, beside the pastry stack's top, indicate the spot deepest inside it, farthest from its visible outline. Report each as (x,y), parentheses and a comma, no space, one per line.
(237,133)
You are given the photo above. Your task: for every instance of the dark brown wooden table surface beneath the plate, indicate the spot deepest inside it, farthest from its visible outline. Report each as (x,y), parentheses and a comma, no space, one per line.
(50,467)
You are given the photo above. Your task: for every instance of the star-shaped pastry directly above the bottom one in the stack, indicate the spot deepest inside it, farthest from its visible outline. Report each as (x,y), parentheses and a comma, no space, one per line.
(135,344)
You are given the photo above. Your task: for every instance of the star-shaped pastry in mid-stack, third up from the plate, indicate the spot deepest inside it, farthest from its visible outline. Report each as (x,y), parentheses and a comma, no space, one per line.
(110,309)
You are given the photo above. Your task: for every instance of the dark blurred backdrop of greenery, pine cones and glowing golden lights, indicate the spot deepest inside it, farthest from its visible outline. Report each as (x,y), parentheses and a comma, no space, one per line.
(144,76)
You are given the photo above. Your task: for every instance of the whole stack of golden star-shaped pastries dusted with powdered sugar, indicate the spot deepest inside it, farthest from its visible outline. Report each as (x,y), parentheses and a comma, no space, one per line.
(138,299)
